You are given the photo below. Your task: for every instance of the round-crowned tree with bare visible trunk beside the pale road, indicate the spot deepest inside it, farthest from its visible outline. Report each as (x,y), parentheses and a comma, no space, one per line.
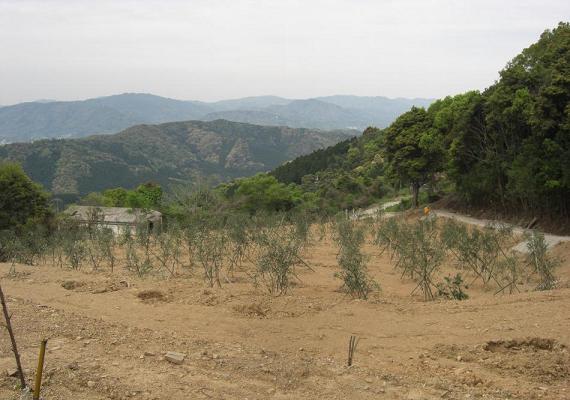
(412,149)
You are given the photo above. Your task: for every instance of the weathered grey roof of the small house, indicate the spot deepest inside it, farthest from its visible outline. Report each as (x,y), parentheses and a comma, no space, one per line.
(112,215)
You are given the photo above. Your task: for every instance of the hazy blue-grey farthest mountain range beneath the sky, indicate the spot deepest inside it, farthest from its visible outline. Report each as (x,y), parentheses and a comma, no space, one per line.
(66,119)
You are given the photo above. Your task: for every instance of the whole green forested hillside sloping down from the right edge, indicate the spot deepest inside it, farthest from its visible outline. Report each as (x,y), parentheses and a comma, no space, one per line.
(507,147)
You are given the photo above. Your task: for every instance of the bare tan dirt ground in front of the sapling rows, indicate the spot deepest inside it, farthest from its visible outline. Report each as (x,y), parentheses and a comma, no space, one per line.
(108,334)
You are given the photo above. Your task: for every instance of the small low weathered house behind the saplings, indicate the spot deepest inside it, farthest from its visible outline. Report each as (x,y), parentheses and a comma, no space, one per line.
(117,219)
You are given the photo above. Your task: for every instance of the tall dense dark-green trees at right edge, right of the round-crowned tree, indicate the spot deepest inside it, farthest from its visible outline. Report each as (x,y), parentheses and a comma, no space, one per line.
(514,151)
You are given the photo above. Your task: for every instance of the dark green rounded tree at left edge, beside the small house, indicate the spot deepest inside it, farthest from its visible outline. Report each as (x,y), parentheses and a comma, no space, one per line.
(21,199)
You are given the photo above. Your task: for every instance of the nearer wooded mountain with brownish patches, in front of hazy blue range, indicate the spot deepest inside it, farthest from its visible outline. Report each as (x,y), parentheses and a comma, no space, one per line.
(166,153)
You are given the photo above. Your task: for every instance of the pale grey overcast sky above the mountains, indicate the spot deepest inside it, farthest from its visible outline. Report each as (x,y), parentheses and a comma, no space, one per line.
(214,49)
